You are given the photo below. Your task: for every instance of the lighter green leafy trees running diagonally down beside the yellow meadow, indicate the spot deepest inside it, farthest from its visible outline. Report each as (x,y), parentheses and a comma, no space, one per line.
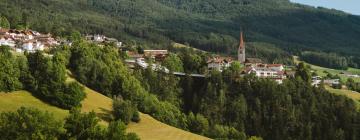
(101,69)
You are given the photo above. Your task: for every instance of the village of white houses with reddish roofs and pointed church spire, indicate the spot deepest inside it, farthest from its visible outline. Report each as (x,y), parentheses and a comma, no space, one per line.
(32,41)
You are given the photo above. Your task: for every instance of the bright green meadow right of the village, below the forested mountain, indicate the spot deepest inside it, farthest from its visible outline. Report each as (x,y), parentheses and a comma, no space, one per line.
(321,71)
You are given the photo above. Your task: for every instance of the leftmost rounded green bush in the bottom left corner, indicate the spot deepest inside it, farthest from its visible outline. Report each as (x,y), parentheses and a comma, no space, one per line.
(28,123)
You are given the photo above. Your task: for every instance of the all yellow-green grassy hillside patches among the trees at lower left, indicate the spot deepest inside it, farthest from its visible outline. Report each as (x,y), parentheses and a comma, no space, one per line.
(148,128)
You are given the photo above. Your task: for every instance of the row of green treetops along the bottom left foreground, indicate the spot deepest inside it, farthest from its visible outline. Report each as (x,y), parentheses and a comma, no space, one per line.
(28,123)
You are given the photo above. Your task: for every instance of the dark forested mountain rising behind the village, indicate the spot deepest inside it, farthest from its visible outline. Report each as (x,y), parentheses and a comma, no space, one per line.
(211,25)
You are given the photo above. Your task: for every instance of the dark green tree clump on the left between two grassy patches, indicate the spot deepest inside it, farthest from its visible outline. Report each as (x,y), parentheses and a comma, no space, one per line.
(47,80)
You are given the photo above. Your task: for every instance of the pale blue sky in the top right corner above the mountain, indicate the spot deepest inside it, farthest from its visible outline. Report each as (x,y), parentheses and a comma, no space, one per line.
(349,6)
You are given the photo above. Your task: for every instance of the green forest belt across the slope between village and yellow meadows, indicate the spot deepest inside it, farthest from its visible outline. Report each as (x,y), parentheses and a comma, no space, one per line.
(220,106)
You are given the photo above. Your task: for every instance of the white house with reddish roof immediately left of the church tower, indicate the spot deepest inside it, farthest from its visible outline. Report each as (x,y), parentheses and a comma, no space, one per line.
(219,63)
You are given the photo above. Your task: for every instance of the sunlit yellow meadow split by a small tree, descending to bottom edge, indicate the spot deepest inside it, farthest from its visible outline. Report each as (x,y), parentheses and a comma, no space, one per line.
(148,128)
